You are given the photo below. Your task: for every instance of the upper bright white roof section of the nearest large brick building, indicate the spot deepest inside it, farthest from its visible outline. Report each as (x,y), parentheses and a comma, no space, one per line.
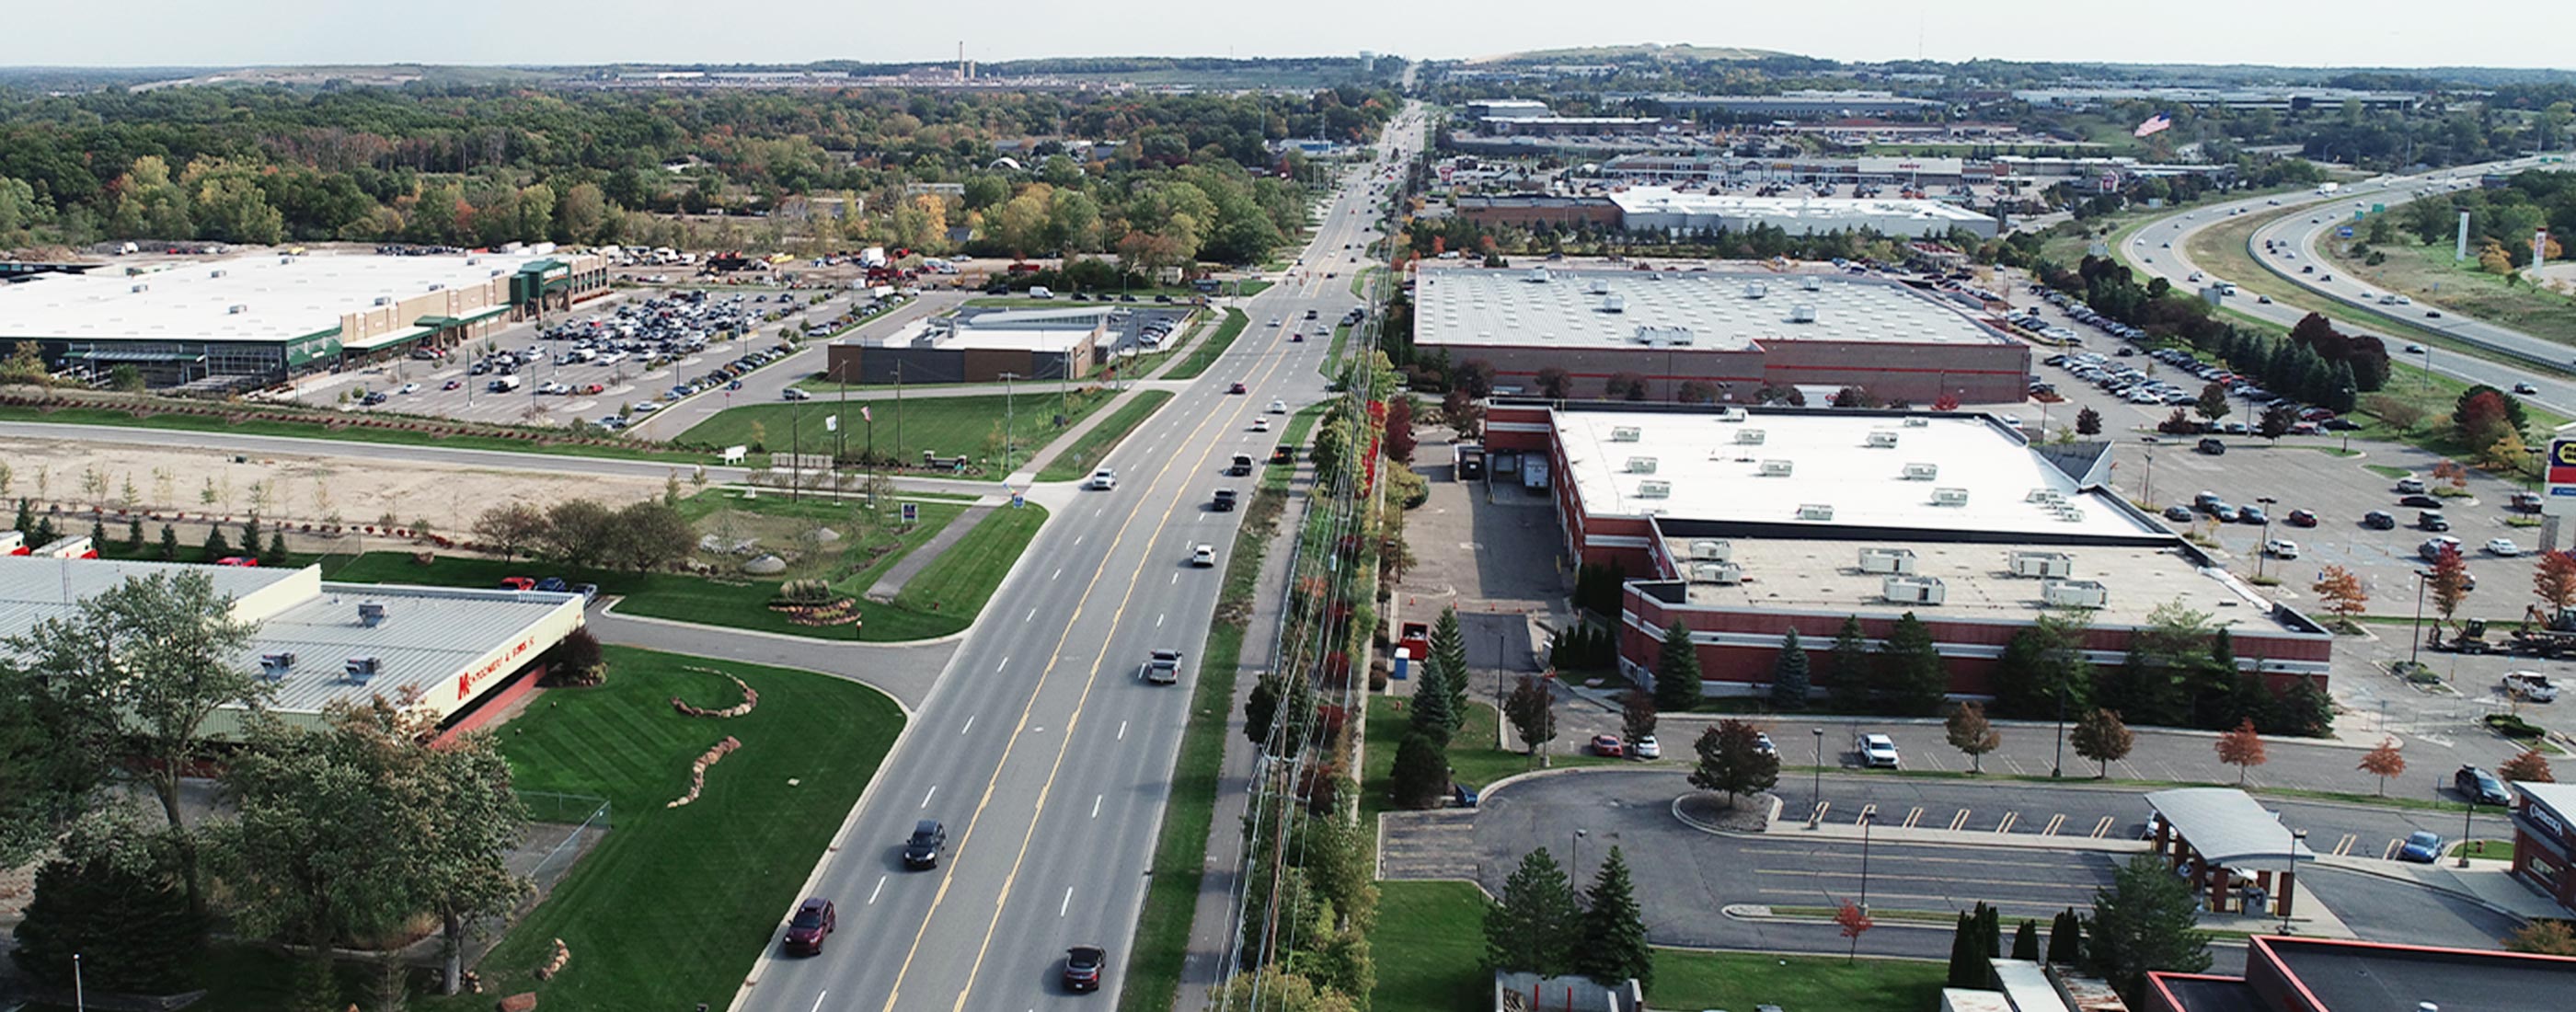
(1712,473)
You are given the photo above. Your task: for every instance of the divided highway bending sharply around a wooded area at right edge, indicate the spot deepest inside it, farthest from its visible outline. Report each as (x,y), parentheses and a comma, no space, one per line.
(2163,251)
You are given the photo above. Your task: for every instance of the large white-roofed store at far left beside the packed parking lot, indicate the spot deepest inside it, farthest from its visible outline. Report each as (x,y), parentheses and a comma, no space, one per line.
(261,318)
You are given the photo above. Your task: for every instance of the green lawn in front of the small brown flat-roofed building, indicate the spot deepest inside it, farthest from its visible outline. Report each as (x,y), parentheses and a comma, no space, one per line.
(947,426)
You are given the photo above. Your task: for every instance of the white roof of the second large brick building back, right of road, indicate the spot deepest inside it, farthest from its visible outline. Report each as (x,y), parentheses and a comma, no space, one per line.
(1717,310)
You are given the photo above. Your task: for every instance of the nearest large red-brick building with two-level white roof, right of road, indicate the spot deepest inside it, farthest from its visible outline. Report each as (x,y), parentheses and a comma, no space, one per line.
(1750,524)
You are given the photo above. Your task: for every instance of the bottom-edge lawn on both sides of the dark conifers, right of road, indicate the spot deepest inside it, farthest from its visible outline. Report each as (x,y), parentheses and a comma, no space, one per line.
(1439,928)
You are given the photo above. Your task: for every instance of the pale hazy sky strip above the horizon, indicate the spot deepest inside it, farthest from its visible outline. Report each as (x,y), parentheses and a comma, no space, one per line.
(516,32)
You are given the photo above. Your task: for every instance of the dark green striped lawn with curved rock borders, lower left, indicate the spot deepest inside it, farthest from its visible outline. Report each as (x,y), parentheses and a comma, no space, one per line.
(674,905)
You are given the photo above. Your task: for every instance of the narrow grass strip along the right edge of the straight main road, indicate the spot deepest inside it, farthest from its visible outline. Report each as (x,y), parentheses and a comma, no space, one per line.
(1181,851)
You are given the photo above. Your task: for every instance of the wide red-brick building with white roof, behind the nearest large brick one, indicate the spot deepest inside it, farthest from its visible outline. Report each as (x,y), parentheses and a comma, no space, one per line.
(1719,333)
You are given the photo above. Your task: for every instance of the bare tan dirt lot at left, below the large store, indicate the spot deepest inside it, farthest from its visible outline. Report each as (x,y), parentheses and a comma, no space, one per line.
(76,475)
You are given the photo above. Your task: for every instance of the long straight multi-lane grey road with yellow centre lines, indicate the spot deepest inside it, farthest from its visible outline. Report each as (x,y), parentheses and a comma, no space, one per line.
(1039,748)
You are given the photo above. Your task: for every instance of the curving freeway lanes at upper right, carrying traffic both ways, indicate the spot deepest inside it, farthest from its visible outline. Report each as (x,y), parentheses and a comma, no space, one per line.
(2160,251)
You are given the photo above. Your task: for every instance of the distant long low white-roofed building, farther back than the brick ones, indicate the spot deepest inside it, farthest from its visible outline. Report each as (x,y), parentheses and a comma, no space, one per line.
(1673,212)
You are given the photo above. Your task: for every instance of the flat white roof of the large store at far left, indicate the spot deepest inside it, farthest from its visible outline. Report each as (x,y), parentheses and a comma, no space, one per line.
(282,297)
